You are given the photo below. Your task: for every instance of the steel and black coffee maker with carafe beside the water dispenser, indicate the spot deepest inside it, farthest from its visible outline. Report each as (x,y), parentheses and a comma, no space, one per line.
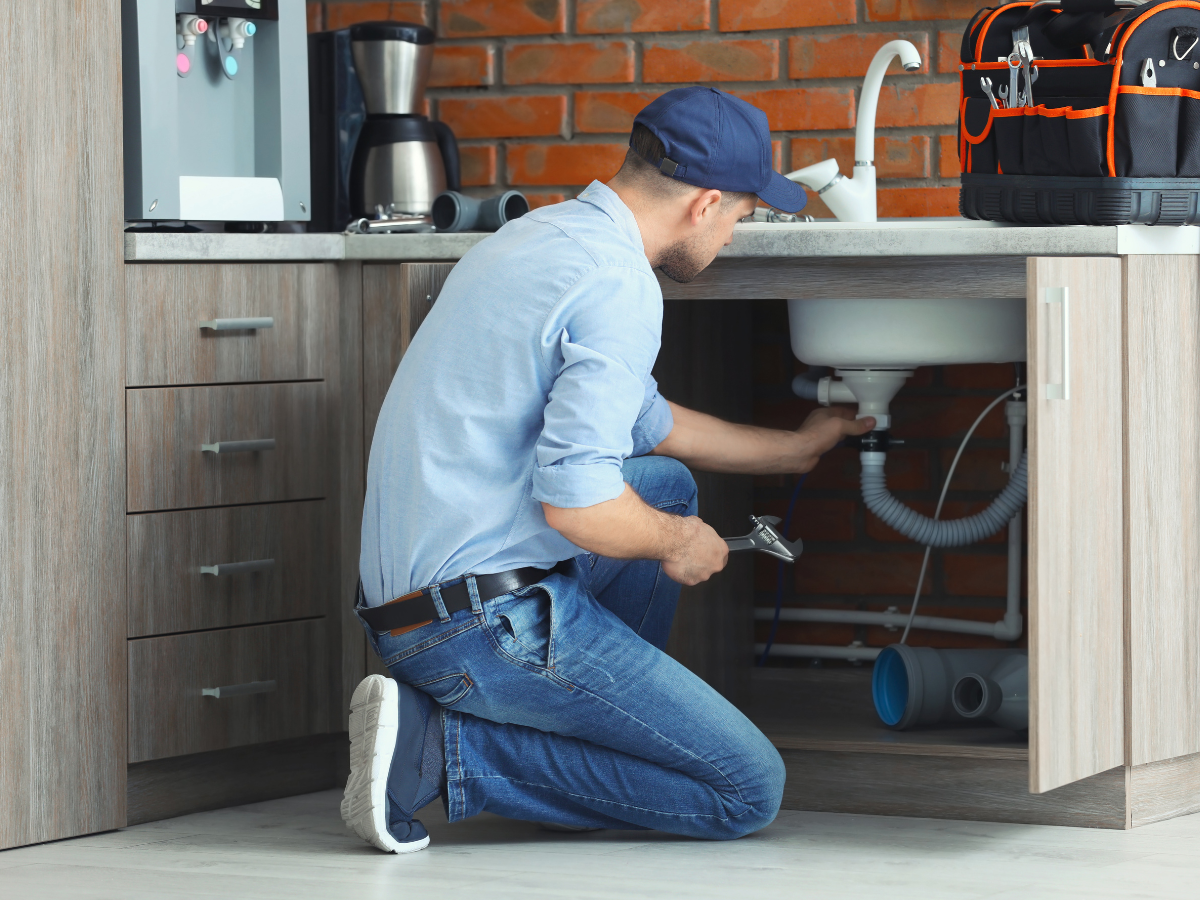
(403,160)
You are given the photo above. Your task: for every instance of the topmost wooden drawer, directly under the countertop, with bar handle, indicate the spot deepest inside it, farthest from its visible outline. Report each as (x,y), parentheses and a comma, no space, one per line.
(166,305)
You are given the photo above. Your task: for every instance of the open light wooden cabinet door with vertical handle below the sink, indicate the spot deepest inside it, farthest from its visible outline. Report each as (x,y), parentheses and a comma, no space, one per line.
(1077,548)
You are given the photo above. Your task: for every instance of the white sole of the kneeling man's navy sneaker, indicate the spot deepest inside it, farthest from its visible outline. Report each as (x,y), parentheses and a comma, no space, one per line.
(375,723)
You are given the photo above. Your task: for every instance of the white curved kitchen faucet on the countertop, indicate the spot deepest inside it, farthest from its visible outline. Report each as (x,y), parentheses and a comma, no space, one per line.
(853,200)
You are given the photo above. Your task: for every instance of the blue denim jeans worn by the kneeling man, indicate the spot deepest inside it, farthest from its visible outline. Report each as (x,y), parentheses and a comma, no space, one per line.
(561,705)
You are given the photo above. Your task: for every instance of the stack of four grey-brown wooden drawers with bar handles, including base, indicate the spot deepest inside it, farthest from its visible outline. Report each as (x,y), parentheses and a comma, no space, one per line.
(235,557)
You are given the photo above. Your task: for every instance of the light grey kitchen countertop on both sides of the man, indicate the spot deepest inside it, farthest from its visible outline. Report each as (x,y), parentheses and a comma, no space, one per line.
(826,238)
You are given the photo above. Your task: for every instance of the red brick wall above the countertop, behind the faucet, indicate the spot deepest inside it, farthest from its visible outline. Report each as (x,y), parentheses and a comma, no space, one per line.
(543,93)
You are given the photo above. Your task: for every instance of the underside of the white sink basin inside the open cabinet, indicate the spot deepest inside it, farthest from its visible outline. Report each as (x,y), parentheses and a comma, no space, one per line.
(905,334)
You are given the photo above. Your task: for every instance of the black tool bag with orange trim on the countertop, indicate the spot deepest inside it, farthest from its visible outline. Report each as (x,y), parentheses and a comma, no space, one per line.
(1095,122)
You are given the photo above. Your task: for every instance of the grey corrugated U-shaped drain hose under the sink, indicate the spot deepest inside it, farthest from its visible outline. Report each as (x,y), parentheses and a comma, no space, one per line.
(941,533)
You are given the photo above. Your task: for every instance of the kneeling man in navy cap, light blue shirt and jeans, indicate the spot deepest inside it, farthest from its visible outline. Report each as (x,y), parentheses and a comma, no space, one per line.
(530,518)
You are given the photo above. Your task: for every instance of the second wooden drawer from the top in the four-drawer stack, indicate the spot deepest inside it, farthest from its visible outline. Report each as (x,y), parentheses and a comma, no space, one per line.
(166,429)
